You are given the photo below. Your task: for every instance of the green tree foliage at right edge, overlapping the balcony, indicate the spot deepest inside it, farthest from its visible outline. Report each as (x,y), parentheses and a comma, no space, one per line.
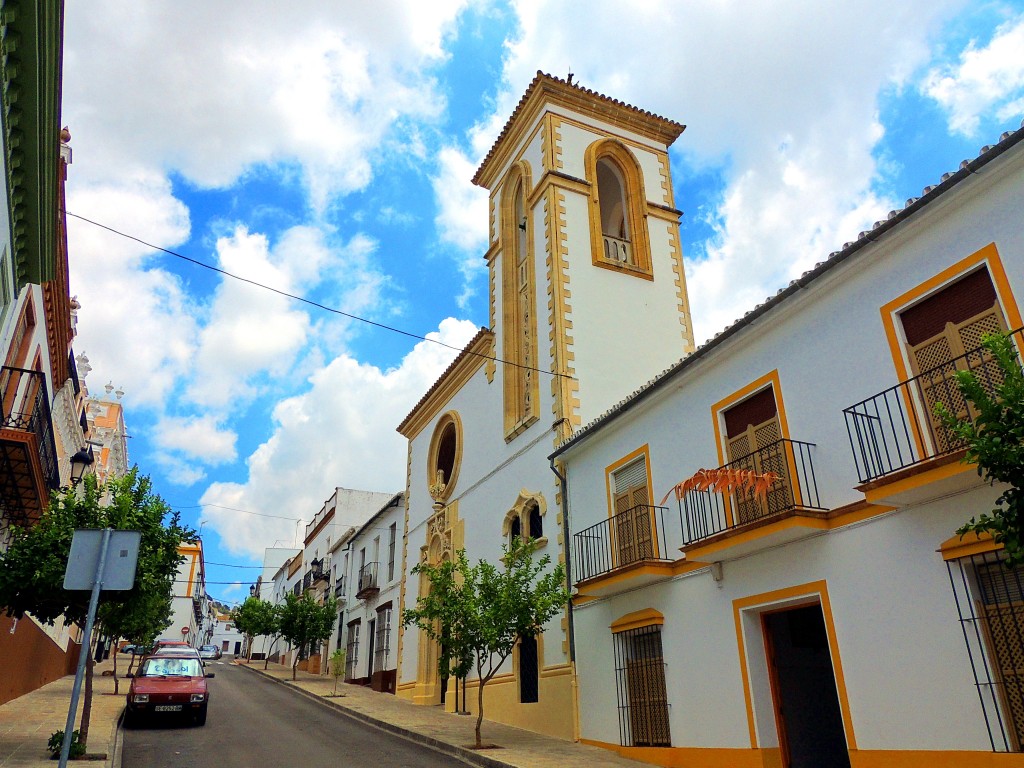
(995,440)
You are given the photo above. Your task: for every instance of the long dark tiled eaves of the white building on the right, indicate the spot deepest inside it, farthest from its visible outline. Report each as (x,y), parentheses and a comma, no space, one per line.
(929,195)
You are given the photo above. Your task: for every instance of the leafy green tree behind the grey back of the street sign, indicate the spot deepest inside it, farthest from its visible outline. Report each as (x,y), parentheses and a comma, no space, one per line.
(33,568)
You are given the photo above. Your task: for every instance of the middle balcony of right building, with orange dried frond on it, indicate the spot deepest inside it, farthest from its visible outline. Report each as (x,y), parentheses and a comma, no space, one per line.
(774,499)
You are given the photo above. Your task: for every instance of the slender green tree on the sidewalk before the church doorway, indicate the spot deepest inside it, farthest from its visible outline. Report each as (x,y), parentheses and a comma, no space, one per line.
(480,613)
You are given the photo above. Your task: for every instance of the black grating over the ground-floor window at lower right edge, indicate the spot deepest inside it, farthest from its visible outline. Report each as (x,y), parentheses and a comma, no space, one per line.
(991,602)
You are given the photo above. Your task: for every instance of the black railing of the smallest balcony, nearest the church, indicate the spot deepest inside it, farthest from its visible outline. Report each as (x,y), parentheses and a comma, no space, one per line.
(633,536)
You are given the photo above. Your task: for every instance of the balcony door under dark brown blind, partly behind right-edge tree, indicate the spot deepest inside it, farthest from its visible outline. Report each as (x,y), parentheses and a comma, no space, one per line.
(941,332)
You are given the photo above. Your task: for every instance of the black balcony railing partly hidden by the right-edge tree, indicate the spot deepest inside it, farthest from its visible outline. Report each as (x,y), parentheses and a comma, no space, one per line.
(899,429)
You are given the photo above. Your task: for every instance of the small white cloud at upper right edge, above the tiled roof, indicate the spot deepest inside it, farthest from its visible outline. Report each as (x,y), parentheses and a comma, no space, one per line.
(986,80)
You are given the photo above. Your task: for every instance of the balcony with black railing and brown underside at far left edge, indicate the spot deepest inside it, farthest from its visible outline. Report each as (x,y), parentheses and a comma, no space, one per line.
(28,453)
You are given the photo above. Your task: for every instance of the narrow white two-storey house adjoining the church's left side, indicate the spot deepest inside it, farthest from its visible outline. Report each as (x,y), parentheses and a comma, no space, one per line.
(368,594)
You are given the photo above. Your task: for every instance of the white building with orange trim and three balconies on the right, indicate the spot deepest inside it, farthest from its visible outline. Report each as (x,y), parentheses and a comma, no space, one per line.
(832,617)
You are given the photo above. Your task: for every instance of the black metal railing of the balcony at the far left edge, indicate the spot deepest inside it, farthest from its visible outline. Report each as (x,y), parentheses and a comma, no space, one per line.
(27,408)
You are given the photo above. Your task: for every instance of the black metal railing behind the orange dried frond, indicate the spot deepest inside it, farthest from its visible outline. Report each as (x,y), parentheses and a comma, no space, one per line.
(706,514)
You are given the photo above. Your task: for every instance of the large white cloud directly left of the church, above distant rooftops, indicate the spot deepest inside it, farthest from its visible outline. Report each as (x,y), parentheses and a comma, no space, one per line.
(342,432)
